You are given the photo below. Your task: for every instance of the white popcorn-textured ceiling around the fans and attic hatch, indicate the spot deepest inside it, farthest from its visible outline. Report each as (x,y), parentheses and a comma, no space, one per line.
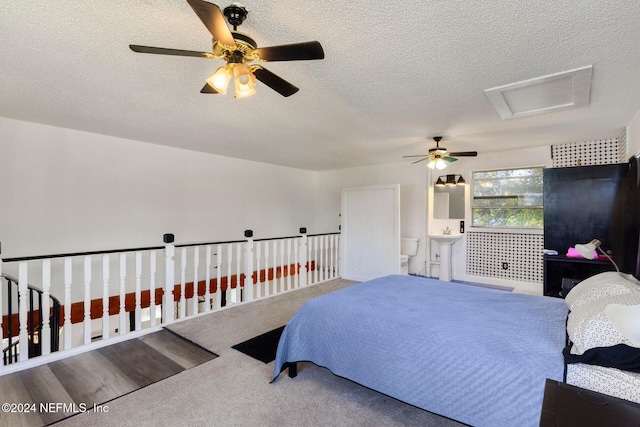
(394,75)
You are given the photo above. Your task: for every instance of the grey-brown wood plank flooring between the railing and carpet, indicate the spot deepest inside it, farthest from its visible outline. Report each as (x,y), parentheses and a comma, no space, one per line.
(95,377)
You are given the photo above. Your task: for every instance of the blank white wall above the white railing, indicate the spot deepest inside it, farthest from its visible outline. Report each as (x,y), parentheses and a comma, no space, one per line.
(64,191)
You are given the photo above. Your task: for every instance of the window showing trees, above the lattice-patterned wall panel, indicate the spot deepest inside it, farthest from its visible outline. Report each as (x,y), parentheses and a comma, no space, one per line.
(508,198)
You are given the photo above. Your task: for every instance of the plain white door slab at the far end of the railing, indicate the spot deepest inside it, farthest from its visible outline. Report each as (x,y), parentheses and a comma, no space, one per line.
(370,242)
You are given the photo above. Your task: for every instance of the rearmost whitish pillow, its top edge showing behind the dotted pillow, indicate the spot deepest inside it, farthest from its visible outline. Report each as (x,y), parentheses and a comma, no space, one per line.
(601,285)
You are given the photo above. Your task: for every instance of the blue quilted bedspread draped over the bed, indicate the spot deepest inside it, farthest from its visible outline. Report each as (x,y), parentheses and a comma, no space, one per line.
(477,355)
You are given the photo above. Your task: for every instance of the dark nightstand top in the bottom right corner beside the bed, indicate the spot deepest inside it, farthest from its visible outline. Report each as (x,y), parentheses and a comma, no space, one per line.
(565,405)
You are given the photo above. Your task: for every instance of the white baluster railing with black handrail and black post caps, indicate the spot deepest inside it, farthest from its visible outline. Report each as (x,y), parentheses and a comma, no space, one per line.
(108,293)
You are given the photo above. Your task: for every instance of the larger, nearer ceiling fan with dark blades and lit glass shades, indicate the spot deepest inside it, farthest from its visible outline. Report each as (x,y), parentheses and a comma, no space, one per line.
(238,50)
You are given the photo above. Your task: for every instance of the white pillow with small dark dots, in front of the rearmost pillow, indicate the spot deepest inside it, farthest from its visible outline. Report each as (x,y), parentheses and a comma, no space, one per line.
(588,325)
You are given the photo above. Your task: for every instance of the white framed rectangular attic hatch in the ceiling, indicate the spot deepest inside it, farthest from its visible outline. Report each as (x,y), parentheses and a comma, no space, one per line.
(560,91)
